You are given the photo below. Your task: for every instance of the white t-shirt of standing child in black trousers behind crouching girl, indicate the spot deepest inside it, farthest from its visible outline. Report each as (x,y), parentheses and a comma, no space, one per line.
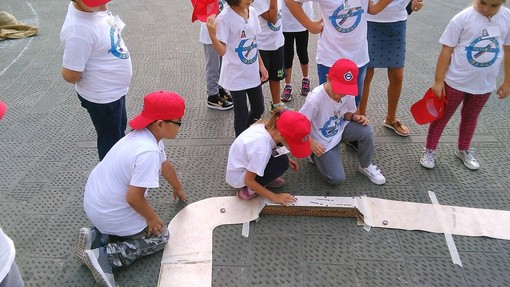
(240,64)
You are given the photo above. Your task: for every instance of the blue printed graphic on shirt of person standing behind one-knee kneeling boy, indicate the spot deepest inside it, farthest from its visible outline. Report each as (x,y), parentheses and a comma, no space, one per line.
(346,18)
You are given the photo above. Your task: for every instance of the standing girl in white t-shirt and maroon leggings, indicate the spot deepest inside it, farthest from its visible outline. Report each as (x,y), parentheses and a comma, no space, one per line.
(474,43)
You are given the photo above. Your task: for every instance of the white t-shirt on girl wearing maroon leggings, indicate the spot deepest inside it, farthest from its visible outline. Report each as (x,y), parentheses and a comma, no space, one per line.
(478,42)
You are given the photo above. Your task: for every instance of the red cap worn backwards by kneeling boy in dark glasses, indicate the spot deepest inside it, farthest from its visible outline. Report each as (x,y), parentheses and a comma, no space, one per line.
(159,106)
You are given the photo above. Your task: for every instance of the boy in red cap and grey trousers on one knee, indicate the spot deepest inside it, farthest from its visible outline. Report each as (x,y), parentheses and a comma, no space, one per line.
(332,111)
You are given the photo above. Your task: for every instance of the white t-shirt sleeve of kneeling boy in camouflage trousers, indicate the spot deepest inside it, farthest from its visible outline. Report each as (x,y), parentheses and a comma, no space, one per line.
(147,170)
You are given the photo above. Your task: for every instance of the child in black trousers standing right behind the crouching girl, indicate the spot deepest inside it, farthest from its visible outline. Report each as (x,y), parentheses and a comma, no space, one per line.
(233,37)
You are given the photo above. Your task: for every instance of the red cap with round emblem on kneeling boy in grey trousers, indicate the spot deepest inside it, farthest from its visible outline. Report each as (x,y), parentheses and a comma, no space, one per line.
(344,77)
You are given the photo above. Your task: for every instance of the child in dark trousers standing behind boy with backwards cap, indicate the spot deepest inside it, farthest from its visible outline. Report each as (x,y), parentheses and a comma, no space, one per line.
(97,62)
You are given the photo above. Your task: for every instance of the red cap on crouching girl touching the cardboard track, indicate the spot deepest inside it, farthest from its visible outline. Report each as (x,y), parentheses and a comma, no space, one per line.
(295,129)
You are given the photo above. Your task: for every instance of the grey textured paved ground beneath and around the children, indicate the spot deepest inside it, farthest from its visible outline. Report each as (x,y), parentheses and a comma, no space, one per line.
(47,149)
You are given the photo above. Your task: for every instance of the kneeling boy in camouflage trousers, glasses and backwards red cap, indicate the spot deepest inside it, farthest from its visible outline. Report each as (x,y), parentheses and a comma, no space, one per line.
(126,226)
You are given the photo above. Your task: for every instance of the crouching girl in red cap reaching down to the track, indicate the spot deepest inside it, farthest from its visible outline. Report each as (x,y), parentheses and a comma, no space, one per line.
(256,160)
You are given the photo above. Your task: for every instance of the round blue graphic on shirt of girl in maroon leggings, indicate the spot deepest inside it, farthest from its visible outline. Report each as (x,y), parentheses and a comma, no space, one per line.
(484,50)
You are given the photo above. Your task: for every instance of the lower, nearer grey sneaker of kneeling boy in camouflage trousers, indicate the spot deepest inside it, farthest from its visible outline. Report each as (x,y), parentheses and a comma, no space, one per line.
(97,261)
